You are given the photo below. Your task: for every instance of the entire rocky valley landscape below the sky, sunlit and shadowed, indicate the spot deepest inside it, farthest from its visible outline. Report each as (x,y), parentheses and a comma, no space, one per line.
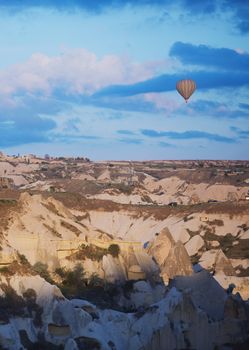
(90,258)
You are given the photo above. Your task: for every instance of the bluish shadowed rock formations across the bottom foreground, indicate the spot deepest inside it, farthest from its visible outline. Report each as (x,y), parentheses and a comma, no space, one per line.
(194,316)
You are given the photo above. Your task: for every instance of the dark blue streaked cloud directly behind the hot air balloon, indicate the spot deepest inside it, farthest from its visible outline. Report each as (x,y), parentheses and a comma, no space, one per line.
(229,69)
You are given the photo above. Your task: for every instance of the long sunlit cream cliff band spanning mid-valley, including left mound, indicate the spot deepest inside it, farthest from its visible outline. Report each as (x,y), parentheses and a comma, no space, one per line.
(39,222)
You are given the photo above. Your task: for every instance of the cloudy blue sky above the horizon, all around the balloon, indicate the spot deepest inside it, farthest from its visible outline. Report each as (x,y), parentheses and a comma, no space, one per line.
(97,78)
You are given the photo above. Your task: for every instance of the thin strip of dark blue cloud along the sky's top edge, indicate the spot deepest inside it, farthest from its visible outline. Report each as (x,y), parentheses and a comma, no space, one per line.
(238,10)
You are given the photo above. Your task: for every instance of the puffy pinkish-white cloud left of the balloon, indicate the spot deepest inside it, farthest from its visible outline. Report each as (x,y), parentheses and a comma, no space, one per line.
(77,71)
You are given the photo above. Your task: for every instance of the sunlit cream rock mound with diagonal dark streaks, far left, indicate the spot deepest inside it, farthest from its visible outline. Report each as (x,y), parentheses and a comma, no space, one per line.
(37,231)
